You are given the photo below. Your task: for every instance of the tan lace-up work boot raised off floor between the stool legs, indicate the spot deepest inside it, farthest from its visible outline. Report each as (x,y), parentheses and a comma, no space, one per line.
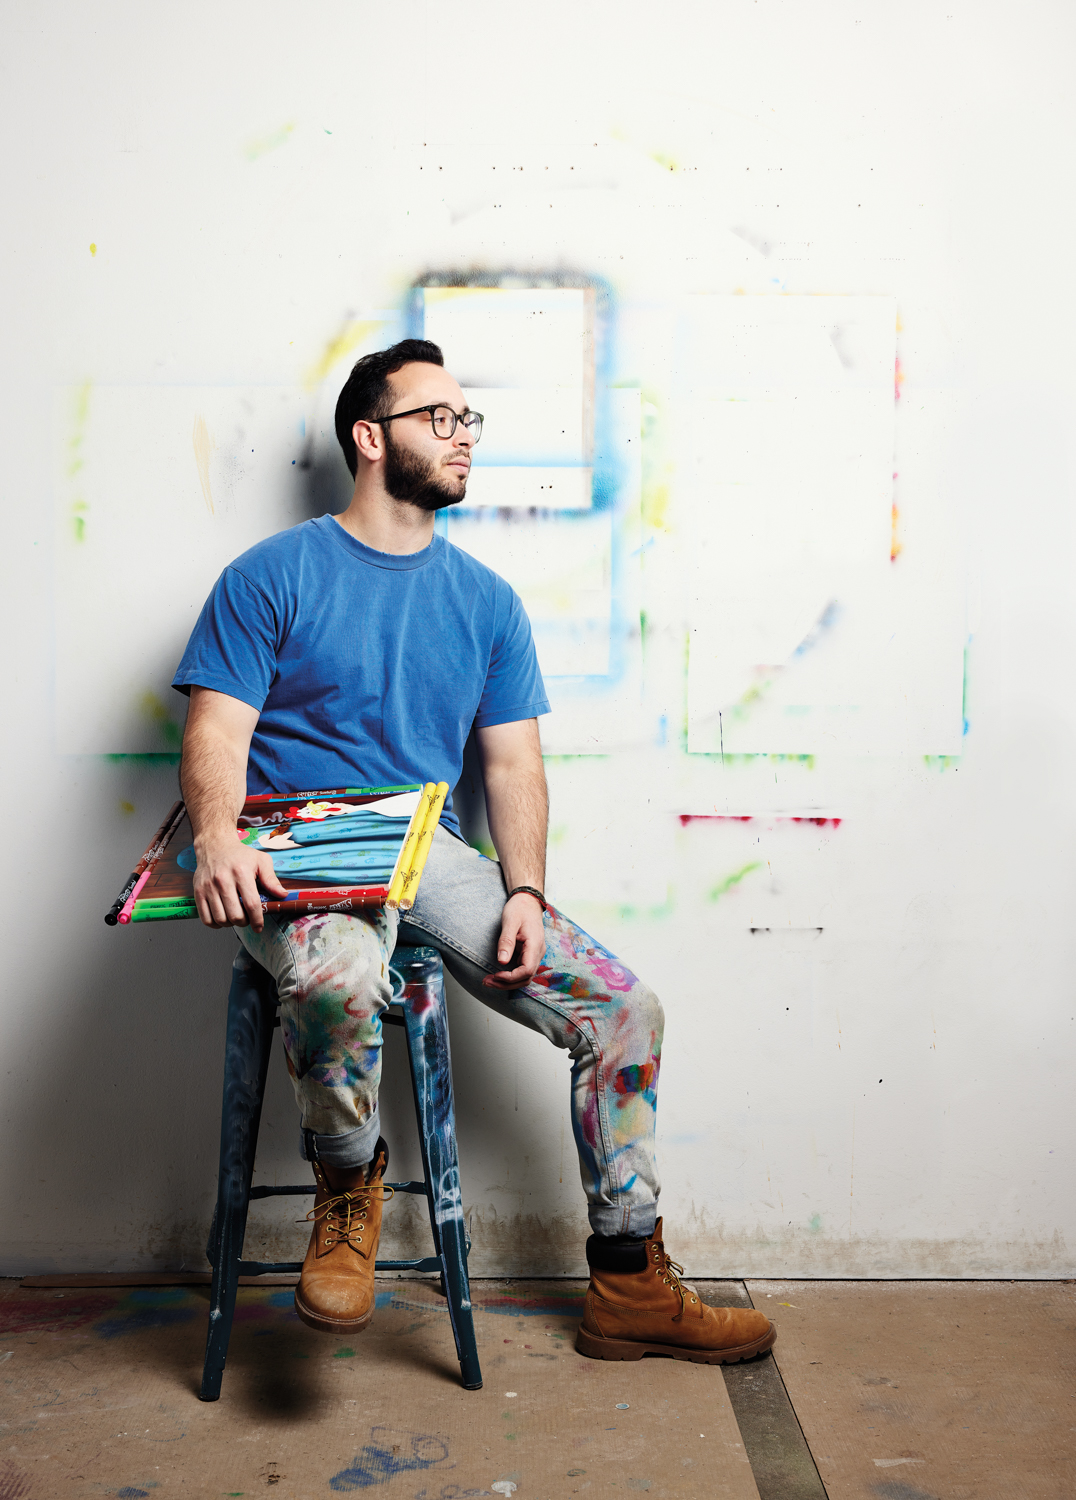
(335,1291)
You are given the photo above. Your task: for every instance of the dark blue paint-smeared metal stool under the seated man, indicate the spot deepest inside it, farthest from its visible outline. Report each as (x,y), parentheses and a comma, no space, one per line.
(418,989)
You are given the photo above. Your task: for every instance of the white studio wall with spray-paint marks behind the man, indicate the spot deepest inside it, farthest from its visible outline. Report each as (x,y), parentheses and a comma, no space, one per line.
(870,1022)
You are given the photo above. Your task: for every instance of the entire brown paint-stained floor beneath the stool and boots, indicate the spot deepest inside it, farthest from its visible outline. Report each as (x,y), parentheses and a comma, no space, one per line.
(906,1391)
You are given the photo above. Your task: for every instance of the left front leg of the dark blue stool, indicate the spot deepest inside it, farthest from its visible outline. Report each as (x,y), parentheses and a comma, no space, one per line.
(251,1006)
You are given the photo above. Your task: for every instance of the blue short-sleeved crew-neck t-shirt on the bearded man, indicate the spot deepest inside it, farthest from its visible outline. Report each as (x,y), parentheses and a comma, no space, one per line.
(368,668)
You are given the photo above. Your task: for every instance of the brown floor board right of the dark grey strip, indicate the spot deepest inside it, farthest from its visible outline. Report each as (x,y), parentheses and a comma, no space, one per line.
(931,1391)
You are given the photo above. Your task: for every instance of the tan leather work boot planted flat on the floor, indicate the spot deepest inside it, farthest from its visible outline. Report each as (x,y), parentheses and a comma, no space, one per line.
(651,1312)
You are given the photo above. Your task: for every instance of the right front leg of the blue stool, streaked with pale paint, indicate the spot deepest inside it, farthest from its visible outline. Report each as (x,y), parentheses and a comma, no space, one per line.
(431,1076)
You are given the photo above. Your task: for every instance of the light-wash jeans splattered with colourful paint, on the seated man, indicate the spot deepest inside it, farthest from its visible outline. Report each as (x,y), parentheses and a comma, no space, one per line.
(332,977)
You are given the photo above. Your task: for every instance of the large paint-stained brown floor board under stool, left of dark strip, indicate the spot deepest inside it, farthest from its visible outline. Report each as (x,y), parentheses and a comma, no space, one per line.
(100,1393)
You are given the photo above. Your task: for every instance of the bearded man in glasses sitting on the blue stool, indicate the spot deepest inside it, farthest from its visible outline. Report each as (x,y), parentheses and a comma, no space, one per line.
(359,650)
